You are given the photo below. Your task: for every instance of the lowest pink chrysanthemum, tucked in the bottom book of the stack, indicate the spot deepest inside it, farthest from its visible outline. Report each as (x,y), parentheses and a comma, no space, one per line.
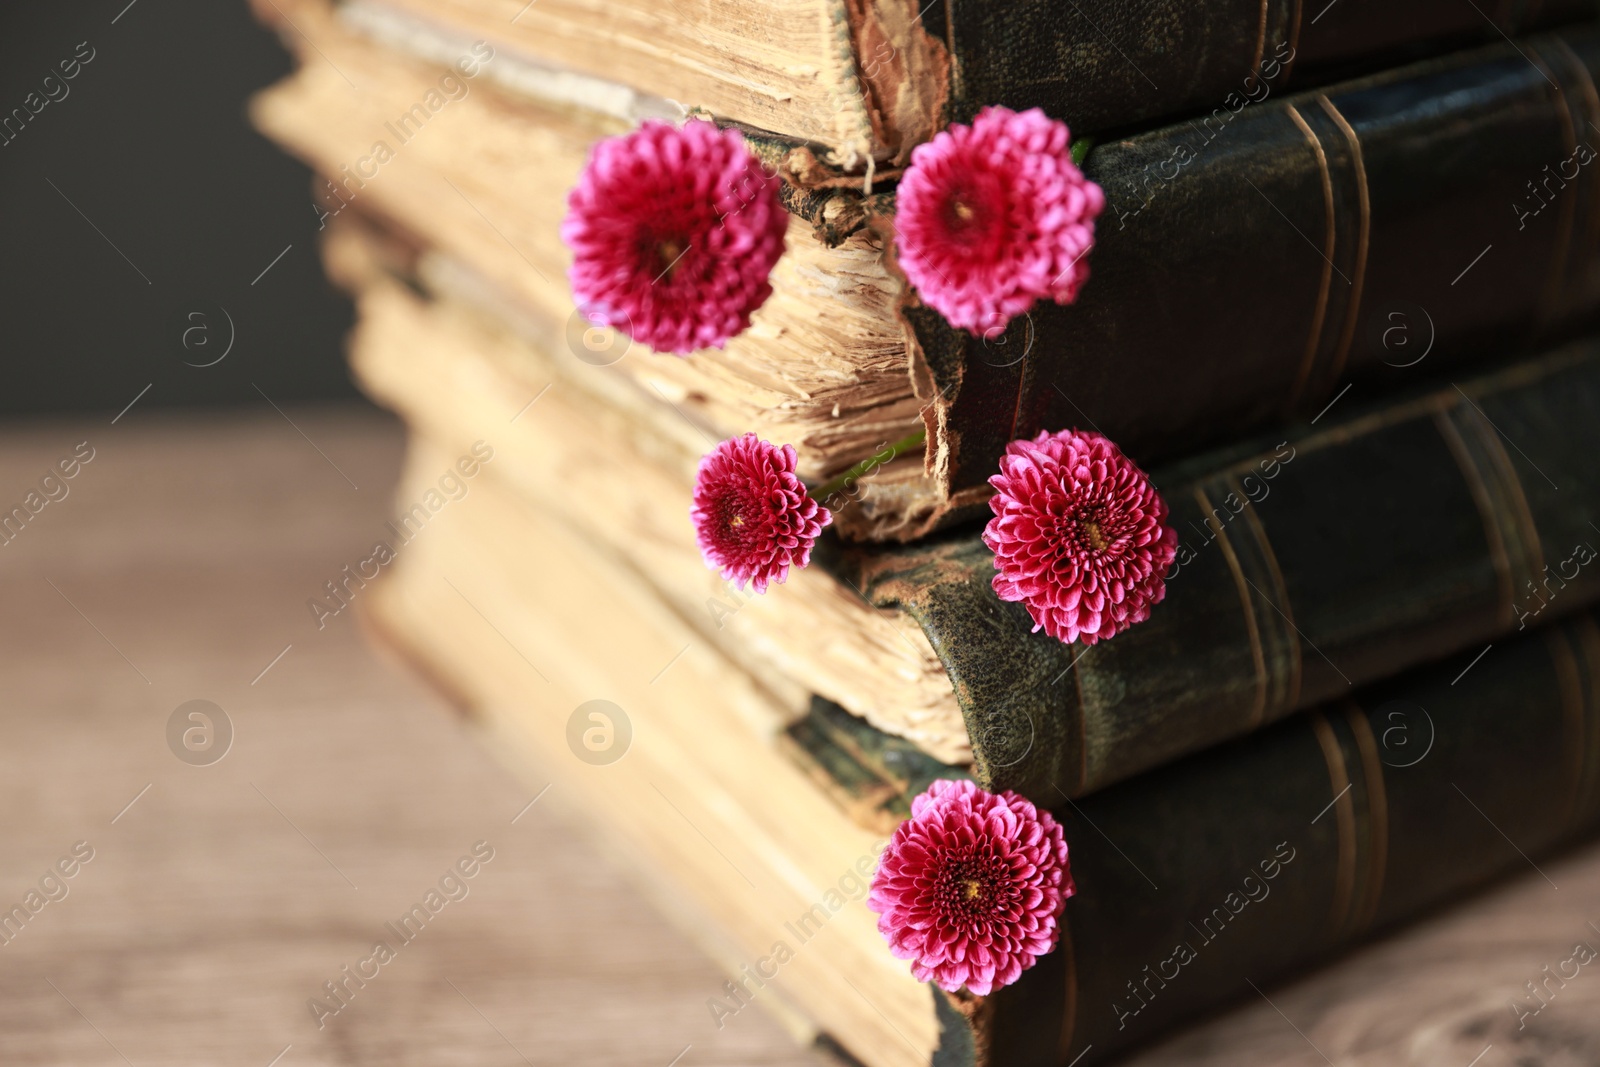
(970,887)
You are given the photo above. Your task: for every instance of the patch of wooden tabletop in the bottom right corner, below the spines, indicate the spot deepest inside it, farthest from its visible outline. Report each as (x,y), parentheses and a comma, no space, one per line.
(1436,994)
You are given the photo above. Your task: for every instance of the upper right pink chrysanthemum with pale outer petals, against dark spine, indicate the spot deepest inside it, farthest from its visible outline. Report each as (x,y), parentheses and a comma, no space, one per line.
(994,217)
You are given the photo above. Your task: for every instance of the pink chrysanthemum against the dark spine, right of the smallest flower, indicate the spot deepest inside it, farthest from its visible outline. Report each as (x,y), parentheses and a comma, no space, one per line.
(1079,537)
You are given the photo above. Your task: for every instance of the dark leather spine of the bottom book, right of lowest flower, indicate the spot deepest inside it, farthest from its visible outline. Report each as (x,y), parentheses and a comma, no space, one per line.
(1265,855)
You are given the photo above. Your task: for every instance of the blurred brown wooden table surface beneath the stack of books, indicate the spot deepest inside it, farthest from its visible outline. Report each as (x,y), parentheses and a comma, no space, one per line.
(222,898)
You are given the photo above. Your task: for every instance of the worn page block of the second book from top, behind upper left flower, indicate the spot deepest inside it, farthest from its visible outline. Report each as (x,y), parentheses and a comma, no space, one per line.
(481,190)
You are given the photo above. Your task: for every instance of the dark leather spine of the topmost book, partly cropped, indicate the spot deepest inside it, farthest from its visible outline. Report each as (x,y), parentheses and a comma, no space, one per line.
(1110,63)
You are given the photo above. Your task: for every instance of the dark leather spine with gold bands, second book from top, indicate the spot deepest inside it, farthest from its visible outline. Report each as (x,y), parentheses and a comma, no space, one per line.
(1255,260)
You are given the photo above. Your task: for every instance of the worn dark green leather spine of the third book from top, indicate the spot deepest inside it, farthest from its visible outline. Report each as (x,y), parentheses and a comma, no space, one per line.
(1351,551)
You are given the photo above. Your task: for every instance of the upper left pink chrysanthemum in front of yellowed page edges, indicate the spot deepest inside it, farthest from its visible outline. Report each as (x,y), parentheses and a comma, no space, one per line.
(674,233)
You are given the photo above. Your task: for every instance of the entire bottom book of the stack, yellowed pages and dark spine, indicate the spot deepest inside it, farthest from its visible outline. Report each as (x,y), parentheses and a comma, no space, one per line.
(1196,882)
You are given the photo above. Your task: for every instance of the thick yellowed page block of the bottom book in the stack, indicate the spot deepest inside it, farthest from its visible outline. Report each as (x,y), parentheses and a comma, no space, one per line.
(534,631)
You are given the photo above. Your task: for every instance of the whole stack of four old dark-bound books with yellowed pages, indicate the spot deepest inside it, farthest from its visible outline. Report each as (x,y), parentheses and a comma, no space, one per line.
(1338,308)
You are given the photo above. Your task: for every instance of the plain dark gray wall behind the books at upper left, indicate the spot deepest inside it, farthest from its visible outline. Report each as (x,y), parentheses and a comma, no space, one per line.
(142,199)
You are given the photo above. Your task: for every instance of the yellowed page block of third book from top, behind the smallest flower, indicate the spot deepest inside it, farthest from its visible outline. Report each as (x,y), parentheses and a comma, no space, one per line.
(617,470)
